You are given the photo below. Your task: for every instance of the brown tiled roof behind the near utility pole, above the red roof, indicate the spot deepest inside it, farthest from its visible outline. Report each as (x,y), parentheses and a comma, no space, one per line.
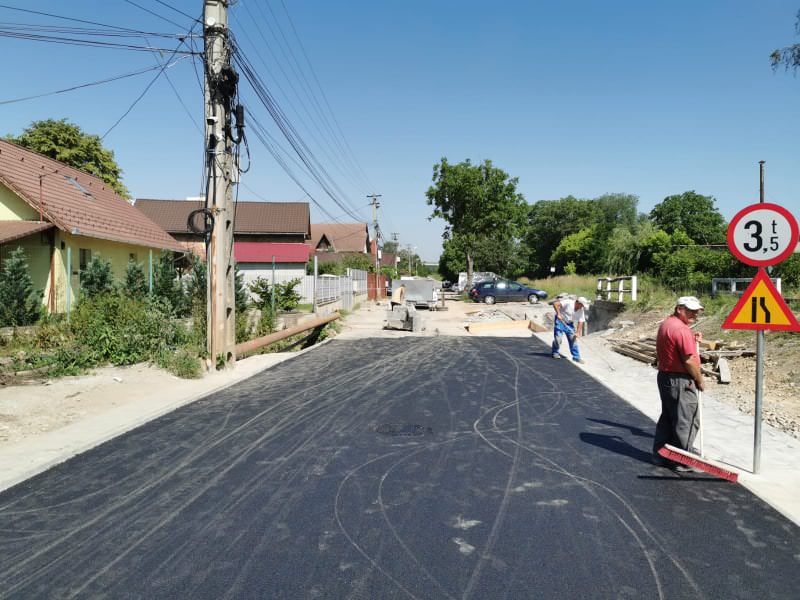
(251,217)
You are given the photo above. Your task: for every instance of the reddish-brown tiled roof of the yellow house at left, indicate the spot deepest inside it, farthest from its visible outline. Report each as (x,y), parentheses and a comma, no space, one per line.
(75,201)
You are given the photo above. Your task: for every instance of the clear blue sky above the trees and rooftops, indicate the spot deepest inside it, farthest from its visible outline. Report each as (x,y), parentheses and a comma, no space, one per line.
(581,98)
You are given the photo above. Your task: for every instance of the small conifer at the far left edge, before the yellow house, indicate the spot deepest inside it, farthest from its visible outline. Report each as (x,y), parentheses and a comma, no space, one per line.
(19,304)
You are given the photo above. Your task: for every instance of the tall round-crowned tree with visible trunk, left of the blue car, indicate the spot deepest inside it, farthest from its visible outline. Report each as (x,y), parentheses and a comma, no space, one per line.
(475,201)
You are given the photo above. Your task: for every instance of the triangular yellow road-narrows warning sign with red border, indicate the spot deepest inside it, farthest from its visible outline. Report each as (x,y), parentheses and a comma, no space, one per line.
(761,307)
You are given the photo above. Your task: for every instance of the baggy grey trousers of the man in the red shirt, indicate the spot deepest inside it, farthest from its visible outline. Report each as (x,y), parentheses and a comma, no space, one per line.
(678,422)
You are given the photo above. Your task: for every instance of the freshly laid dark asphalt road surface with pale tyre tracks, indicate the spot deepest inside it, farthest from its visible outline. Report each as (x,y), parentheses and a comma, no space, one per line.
(427,467)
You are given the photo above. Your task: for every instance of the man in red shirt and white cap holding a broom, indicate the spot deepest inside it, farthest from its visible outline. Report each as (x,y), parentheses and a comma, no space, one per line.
(679,380)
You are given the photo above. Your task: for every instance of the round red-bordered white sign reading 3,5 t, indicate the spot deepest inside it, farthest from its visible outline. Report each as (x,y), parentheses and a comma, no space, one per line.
(762,234)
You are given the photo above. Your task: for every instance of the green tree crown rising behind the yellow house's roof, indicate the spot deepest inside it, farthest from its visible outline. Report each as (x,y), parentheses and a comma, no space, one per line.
(68,143)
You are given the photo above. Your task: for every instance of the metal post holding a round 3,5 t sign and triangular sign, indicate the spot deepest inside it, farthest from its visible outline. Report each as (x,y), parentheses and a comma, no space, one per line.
(761,235)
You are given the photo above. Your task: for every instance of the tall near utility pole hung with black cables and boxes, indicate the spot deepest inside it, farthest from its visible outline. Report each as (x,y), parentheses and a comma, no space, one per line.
(220,91)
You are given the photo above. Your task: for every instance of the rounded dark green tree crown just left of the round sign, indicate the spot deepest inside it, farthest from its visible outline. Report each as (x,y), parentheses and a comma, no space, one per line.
(693,214)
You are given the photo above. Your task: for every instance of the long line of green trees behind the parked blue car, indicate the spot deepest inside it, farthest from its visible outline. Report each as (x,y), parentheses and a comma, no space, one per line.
(489,226)
